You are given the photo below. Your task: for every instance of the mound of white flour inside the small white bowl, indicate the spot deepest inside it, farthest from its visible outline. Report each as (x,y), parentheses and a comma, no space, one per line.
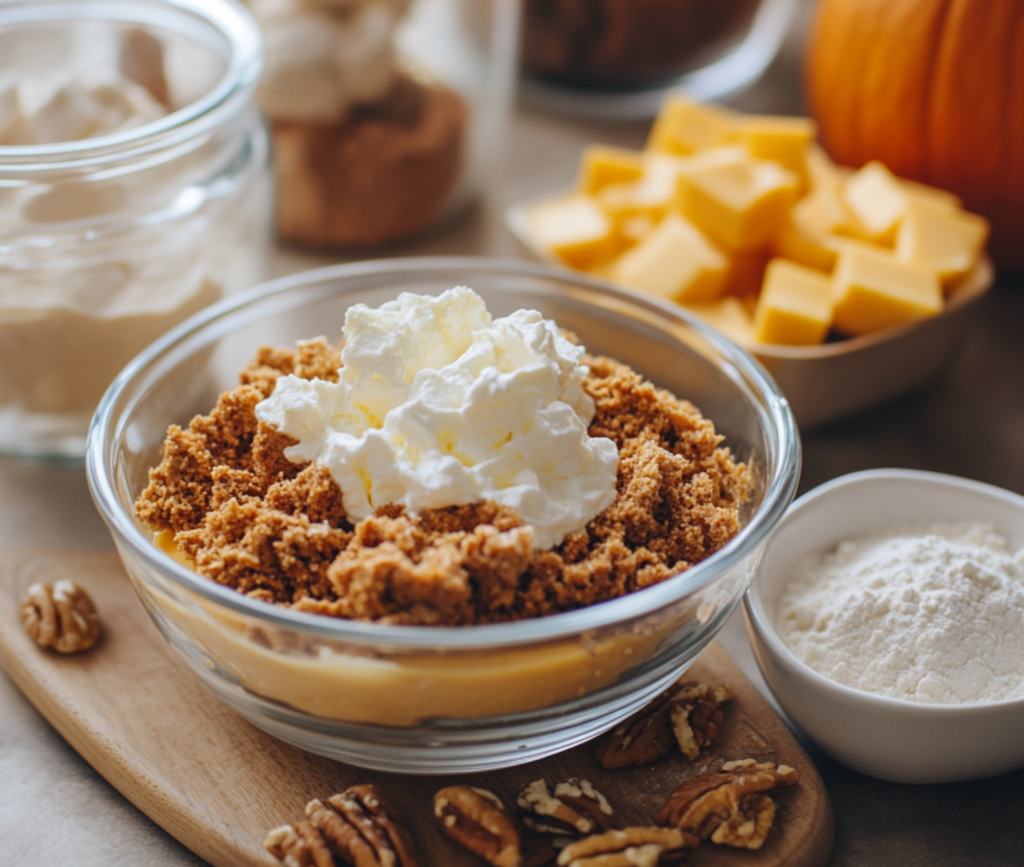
(933,615)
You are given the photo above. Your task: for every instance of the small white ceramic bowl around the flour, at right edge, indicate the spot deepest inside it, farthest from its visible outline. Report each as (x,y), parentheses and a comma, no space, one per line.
(892,740)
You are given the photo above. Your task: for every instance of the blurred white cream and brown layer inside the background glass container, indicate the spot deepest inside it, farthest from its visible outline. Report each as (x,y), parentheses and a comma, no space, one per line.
(367,151)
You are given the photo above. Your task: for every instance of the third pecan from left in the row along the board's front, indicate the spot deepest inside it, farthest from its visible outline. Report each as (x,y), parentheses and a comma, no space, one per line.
(575,810)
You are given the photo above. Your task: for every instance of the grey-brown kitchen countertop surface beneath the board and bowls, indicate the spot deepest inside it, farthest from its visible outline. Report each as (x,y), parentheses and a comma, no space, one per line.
(55,809)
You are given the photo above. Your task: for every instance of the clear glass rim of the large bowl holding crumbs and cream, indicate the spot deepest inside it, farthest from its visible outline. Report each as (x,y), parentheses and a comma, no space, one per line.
(782,427)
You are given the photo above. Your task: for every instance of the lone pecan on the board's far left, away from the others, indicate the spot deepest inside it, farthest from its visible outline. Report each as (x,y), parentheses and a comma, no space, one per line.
(63,617)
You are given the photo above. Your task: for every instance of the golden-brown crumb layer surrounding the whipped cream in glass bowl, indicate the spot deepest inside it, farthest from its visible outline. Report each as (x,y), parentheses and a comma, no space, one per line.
(251,519)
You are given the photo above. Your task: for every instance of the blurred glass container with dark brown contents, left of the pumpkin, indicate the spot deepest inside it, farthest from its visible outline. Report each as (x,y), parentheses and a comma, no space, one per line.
(617,59)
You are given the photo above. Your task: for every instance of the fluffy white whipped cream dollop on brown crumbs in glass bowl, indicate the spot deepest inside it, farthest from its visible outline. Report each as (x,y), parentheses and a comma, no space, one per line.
(440,405)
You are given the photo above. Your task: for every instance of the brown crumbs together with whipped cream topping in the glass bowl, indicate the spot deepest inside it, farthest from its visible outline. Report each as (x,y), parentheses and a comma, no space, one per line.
(444,468)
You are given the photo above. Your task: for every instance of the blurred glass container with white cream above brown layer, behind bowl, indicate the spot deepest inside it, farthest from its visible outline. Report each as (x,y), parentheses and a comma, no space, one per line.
(388,116)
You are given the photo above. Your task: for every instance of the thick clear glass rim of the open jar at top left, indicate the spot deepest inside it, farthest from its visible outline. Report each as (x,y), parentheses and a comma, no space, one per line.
(226,98)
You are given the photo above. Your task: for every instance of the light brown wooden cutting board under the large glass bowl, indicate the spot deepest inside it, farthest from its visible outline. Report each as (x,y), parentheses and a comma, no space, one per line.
(218,784)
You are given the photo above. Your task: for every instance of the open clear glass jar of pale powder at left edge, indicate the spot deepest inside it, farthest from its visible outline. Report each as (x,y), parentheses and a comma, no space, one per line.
(108,242)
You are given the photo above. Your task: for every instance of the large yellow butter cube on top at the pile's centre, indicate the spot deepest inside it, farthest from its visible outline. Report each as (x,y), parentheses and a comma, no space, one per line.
(742,205)
